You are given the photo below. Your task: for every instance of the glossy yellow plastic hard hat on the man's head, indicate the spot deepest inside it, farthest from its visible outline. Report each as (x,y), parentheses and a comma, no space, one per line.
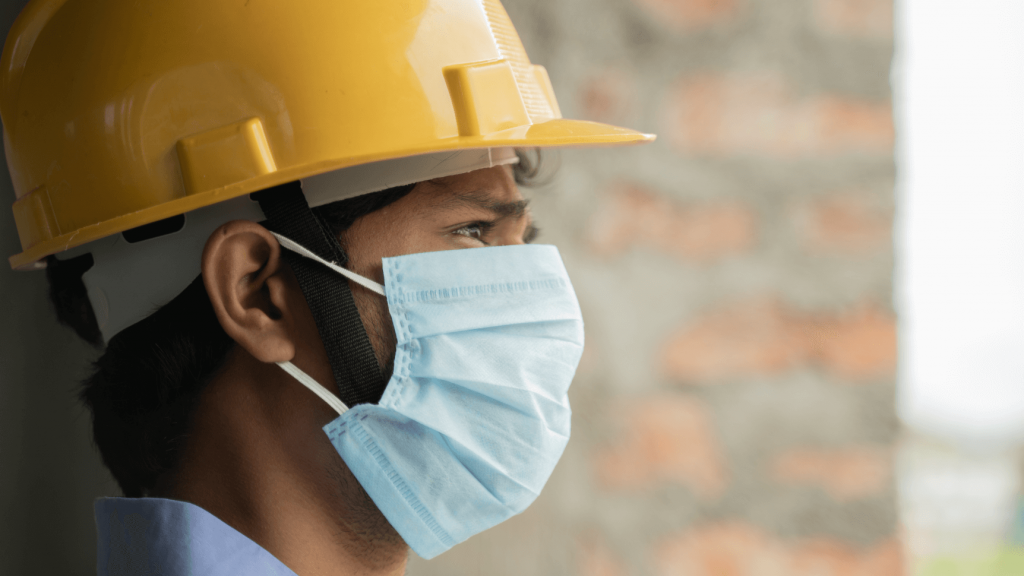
(121,113)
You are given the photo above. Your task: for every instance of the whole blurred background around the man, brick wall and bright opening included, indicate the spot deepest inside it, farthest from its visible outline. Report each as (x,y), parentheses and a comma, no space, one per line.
(743,407)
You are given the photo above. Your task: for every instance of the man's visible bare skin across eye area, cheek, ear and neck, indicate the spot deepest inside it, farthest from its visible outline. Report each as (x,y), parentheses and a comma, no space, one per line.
(261,305)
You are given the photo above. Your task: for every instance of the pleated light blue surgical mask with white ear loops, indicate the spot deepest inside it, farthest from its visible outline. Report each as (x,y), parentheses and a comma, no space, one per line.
(477,414)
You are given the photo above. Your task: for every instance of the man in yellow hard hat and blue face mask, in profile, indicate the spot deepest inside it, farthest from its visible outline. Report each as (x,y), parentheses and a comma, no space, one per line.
(217,188)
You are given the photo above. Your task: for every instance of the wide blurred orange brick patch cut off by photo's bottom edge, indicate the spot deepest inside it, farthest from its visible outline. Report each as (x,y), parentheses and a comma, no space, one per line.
(742,550)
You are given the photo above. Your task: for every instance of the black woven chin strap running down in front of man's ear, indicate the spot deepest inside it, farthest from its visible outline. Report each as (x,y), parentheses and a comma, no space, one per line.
(357,374)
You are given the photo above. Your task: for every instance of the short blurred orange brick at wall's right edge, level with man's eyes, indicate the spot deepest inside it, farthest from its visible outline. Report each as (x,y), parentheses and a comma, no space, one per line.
(845,224)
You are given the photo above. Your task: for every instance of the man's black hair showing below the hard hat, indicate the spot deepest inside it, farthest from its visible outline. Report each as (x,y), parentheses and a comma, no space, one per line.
(147,384)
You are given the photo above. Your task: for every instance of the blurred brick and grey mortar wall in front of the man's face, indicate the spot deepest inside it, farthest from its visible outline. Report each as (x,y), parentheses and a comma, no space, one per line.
(734,413)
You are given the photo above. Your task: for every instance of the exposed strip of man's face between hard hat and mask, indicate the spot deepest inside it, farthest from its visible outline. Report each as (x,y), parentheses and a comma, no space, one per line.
(473,211)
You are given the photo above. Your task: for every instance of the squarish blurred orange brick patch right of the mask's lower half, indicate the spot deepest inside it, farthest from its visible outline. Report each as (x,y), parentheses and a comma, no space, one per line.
(665,439)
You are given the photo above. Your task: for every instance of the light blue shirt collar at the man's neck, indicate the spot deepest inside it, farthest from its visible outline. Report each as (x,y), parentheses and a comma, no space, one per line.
(151,537)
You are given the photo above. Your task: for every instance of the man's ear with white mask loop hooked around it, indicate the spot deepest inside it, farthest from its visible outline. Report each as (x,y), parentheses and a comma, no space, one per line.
(250,290)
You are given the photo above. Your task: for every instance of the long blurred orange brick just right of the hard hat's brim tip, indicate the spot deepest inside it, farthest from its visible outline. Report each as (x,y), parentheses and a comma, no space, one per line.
(758,114)
